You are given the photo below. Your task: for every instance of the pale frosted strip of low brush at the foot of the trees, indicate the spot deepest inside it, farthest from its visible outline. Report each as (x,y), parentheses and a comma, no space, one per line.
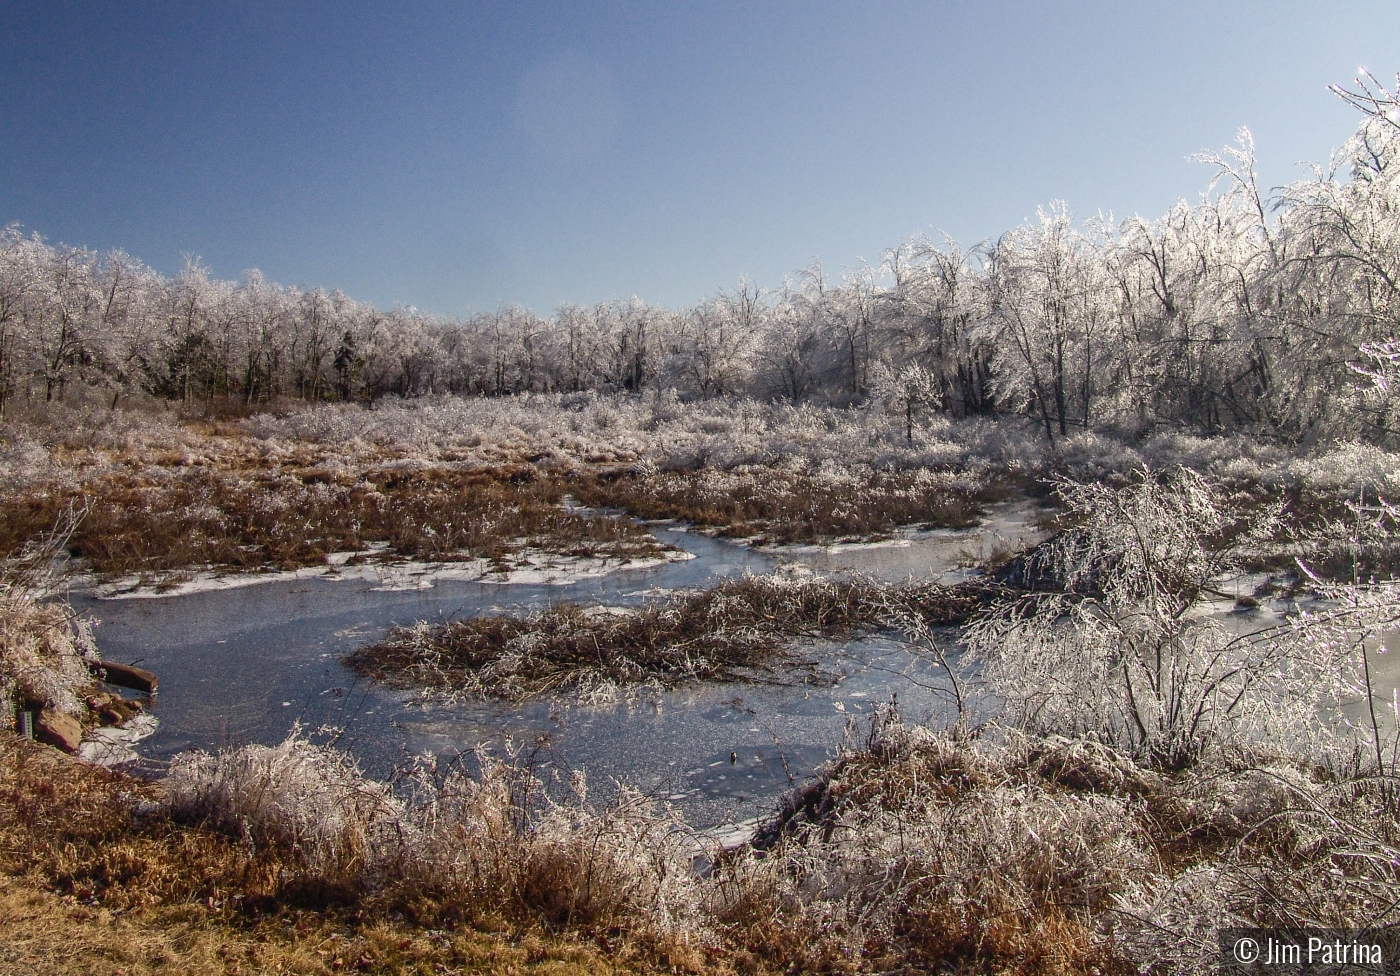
(730,435)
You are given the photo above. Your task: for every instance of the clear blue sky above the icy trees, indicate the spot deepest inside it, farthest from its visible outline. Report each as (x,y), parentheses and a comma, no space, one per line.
(461,156)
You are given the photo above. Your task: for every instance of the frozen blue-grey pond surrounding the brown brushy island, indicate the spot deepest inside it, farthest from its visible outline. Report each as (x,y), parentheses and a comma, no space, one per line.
(244,664)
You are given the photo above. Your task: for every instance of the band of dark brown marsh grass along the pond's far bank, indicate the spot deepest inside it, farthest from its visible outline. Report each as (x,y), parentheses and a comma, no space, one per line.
(230,508)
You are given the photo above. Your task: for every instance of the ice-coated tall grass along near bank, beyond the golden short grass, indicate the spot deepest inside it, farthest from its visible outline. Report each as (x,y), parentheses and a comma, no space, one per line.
(916,848)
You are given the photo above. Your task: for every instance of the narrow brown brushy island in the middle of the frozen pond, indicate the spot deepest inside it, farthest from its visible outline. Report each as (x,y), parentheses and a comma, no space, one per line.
(738,629)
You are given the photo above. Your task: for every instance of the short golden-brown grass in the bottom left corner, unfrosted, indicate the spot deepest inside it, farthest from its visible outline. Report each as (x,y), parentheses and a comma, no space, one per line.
(89,886)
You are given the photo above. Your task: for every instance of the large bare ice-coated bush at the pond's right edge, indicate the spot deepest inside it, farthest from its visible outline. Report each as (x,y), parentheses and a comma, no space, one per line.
(1128,655)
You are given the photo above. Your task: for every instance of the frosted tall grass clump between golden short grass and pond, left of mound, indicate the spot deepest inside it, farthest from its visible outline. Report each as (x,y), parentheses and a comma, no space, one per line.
(450,842)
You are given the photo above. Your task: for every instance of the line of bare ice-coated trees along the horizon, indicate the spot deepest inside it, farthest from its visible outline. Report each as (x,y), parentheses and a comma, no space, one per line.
(1251,310)
